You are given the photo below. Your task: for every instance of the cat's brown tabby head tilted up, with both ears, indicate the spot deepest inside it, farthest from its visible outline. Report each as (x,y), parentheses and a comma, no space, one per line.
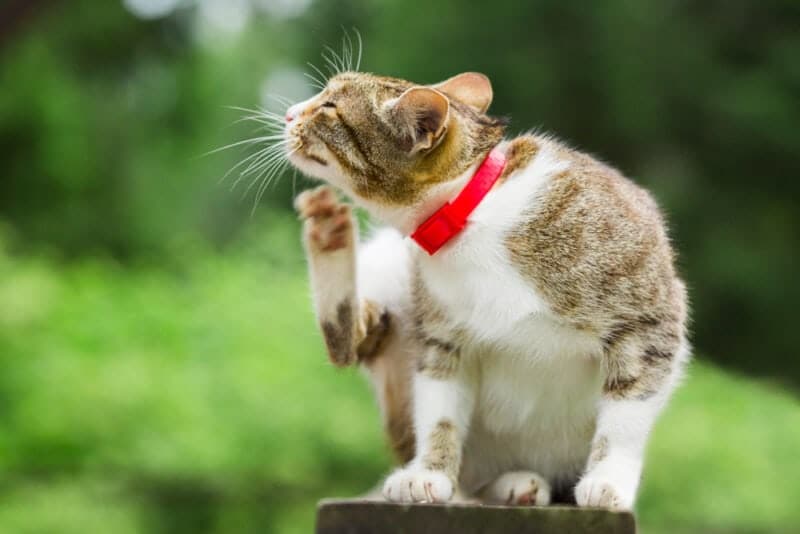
(387,140)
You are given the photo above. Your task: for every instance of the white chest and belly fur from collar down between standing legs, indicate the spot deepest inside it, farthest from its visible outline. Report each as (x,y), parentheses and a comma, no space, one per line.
(539,378)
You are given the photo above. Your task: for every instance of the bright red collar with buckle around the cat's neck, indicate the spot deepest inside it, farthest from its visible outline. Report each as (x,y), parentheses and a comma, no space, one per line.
(450,219)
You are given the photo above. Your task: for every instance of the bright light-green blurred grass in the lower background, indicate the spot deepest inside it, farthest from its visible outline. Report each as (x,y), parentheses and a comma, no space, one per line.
(196,397)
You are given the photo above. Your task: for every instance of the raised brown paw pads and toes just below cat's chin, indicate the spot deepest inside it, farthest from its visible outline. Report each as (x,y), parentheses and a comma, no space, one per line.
(328,223)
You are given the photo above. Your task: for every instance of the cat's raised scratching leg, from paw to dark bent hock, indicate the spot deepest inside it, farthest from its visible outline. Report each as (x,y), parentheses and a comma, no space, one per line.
(353,329)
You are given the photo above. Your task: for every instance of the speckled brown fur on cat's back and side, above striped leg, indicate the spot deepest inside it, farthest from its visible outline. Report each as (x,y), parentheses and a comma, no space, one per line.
(595,245)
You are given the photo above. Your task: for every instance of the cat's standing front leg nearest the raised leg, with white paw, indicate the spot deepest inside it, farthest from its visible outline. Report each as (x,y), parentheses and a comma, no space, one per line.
(443,405)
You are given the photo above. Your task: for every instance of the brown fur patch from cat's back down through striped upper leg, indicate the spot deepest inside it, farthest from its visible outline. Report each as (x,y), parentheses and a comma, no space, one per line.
(595,248)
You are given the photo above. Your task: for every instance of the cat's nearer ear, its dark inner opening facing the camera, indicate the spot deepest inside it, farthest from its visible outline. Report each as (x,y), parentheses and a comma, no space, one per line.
(421,113)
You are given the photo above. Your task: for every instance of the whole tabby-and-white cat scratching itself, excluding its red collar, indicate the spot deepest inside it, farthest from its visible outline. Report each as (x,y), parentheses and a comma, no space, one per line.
(526,360)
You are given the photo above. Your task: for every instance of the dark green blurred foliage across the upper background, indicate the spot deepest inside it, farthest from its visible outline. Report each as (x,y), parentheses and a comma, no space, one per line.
(102,138)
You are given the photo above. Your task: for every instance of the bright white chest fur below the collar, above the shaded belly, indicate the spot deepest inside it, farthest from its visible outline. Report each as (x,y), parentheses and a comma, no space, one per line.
(473,277)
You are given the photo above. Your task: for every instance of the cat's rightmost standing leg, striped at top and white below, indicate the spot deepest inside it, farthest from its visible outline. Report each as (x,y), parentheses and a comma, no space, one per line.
(642,370)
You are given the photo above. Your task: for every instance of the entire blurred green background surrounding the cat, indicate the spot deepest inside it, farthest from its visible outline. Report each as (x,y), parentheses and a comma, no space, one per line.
(160,367)
